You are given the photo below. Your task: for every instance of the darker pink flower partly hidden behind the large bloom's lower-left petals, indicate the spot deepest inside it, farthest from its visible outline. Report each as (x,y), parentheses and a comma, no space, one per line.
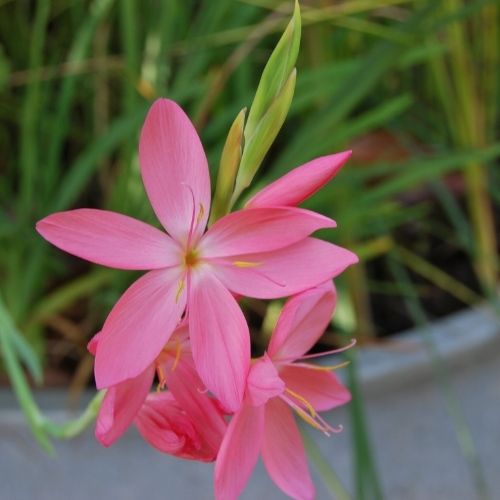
(183,421)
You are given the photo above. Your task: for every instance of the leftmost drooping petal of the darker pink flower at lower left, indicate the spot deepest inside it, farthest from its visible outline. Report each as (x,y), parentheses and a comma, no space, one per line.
(120,406)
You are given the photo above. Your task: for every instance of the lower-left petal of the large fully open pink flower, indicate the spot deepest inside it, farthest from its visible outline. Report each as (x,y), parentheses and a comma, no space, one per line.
(138,326)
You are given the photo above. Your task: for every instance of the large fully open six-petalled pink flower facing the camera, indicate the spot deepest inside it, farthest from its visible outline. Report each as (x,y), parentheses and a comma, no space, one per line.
(261,252)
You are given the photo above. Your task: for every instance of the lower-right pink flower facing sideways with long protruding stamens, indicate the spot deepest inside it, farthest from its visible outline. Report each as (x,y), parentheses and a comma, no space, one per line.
(277,385)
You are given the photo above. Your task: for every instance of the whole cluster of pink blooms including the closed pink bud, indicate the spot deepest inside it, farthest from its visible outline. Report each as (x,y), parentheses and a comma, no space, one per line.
(181,322)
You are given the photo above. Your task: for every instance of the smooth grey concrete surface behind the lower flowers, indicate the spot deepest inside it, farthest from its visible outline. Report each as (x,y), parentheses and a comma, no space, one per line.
(417,451)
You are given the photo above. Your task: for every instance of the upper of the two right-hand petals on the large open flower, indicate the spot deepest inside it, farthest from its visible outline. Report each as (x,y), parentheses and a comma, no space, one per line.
(260,230)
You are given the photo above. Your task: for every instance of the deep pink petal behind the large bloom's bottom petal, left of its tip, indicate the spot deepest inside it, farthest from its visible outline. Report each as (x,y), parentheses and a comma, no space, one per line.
(189,391)
